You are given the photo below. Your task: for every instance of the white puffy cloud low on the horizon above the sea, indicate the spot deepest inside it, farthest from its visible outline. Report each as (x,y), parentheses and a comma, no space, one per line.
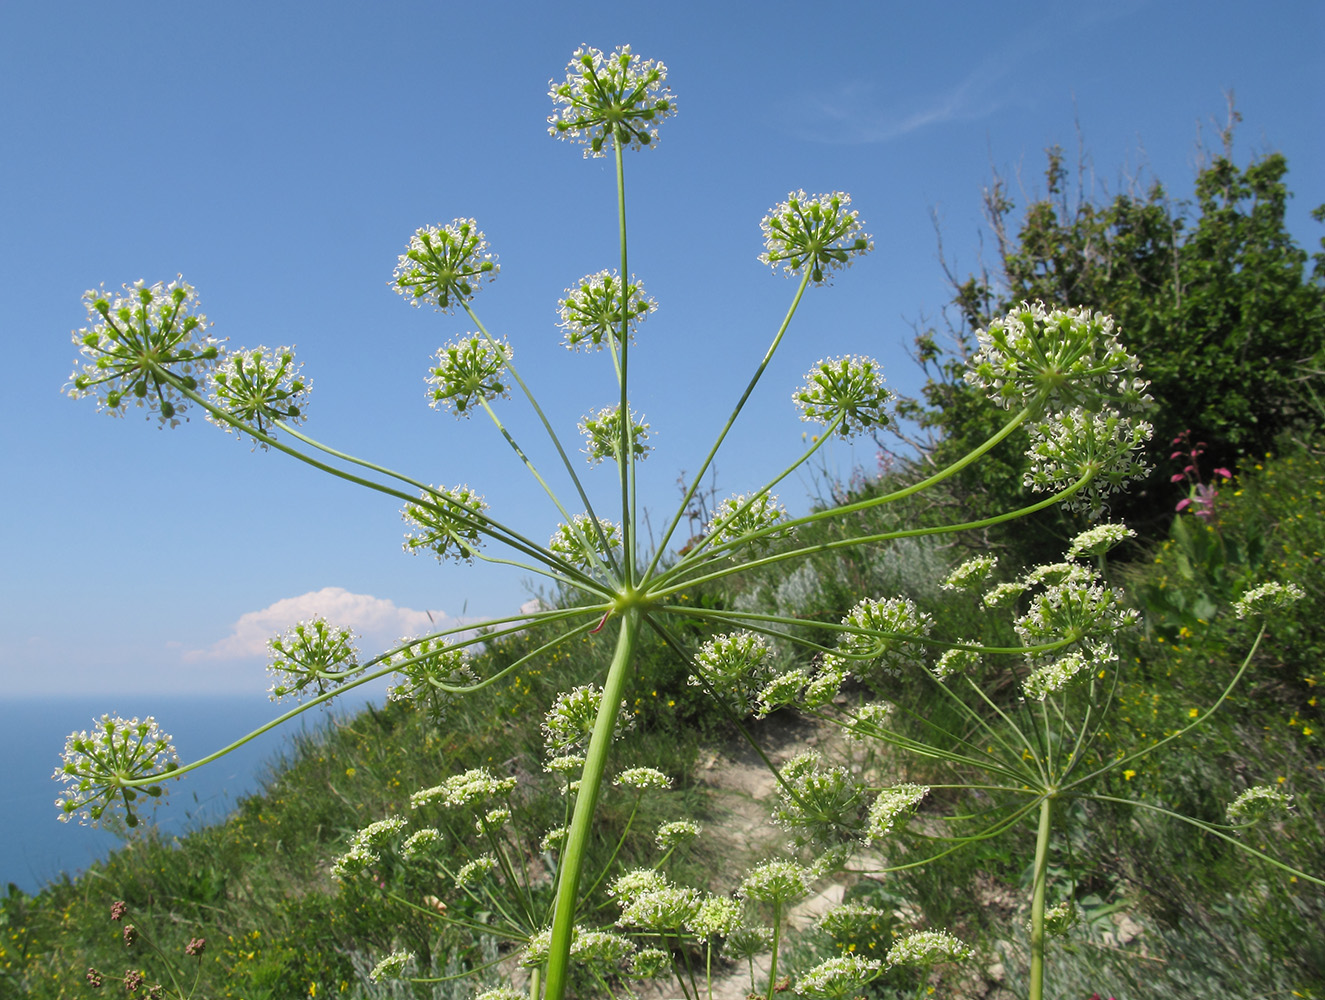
(377,619)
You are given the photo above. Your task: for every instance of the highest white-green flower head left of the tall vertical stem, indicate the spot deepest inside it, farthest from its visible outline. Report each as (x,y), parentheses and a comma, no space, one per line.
(445,266)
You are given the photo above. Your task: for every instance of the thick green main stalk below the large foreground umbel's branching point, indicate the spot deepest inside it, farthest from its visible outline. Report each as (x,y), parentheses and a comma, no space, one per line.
(592,779)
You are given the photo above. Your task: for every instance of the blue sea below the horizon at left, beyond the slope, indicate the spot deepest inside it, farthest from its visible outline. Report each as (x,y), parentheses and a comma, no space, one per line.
(36,848)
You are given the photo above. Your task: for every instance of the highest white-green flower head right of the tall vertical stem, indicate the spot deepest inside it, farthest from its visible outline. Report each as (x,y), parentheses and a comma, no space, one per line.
(818,232)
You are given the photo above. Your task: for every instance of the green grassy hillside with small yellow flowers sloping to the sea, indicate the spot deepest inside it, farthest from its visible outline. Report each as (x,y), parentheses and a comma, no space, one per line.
(1201,920)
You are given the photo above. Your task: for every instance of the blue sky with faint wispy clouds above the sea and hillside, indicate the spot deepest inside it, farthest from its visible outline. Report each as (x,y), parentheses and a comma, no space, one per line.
(279,157)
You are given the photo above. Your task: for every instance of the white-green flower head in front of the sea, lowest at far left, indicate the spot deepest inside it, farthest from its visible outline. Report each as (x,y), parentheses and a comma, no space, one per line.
(97,766)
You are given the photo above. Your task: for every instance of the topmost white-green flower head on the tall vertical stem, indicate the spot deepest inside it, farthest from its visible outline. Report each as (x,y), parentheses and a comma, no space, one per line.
(617,97)
